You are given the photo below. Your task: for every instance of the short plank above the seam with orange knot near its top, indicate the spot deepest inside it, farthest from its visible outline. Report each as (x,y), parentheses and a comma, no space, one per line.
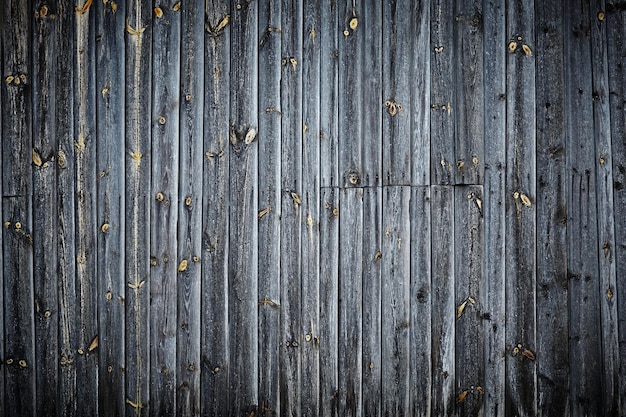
(350,97)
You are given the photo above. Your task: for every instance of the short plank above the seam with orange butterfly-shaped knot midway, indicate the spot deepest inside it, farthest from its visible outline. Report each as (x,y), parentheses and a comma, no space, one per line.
(396,93)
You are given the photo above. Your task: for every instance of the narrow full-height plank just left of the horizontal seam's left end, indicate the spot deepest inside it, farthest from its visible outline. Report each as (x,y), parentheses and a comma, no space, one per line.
(310,207)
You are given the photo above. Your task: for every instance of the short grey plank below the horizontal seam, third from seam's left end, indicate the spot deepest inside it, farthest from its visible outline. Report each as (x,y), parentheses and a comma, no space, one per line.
(372,363)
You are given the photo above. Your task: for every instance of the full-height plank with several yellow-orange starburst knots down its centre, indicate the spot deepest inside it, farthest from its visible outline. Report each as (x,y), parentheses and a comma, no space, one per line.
(138,124)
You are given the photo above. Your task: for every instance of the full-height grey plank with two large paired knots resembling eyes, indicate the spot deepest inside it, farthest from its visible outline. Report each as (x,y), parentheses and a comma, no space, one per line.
(243,200)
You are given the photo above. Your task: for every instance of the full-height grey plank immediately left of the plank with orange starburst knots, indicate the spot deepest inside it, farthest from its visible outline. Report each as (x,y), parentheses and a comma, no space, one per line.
(110,150)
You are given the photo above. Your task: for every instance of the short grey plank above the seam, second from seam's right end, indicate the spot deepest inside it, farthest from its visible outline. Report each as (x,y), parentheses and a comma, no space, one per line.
(442,106)
